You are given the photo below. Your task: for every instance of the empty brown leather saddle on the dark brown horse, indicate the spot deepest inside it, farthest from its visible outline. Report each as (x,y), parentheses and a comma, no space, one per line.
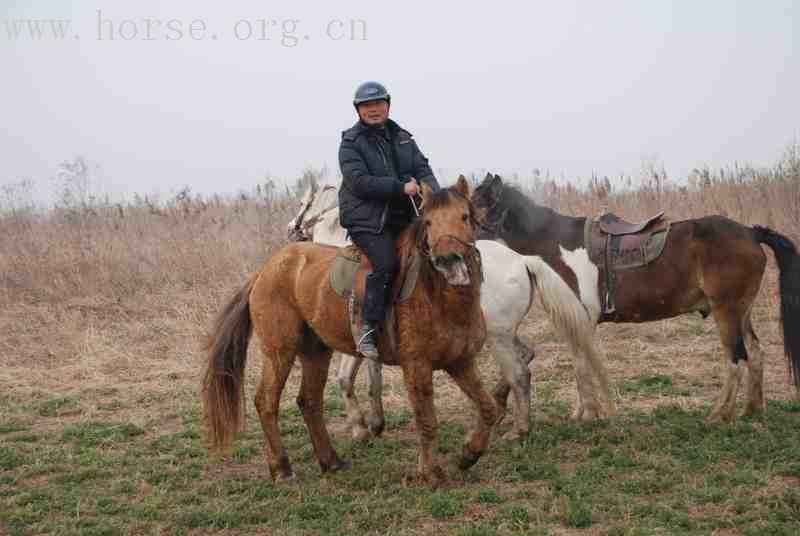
(616,245)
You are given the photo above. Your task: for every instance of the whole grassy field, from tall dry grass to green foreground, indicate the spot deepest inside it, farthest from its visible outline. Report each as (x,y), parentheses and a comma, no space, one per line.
(104,311)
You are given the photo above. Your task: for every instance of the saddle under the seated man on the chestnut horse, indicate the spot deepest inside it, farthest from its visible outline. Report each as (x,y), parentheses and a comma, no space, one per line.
(349,280)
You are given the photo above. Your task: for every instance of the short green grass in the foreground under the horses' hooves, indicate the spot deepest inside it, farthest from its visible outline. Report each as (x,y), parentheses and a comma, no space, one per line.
(661,471)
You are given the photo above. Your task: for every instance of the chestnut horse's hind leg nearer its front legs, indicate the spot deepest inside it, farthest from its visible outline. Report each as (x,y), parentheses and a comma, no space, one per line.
(309,400)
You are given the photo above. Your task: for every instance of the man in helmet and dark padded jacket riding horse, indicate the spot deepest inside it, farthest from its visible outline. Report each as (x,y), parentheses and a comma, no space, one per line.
(381,166)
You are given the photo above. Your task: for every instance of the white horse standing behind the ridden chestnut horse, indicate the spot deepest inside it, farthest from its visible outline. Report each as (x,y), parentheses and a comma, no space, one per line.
(506,297)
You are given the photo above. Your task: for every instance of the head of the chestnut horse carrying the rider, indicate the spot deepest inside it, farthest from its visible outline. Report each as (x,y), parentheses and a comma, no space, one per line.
(449,227)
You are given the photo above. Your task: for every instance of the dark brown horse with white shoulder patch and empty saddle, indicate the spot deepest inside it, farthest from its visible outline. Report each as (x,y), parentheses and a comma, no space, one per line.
(711,265)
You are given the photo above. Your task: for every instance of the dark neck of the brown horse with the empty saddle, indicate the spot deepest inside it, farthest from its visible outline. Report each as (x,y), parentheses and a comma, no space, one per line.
(537,230)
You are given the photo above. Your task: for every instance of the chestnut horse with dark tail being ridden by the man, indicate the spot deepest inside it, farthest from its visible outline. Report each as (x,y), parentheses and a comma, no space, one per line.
(296,313)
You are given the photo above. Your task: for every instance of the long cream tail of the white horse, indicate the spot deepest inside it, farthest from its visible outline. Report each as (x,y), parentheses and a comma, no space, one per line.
(569,316)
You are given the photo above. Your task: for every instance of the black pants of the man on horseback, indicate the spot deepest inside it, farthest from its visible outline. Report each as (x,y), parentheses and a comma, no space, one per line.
(379,249)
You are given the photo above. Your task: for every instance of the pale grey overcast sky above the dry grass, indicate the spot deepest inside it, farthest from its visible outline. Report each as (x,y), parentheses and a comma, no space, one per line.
(572,88)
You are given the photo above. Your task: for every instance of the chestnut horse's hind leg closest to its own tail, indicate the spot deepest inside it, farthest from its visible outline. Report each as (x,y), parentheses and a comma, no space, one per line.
(277,364)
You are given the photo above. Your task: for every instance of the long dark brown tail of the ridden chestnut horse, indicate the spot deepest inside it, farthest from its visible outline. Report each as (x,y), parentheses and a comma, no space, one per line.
(223,386)
